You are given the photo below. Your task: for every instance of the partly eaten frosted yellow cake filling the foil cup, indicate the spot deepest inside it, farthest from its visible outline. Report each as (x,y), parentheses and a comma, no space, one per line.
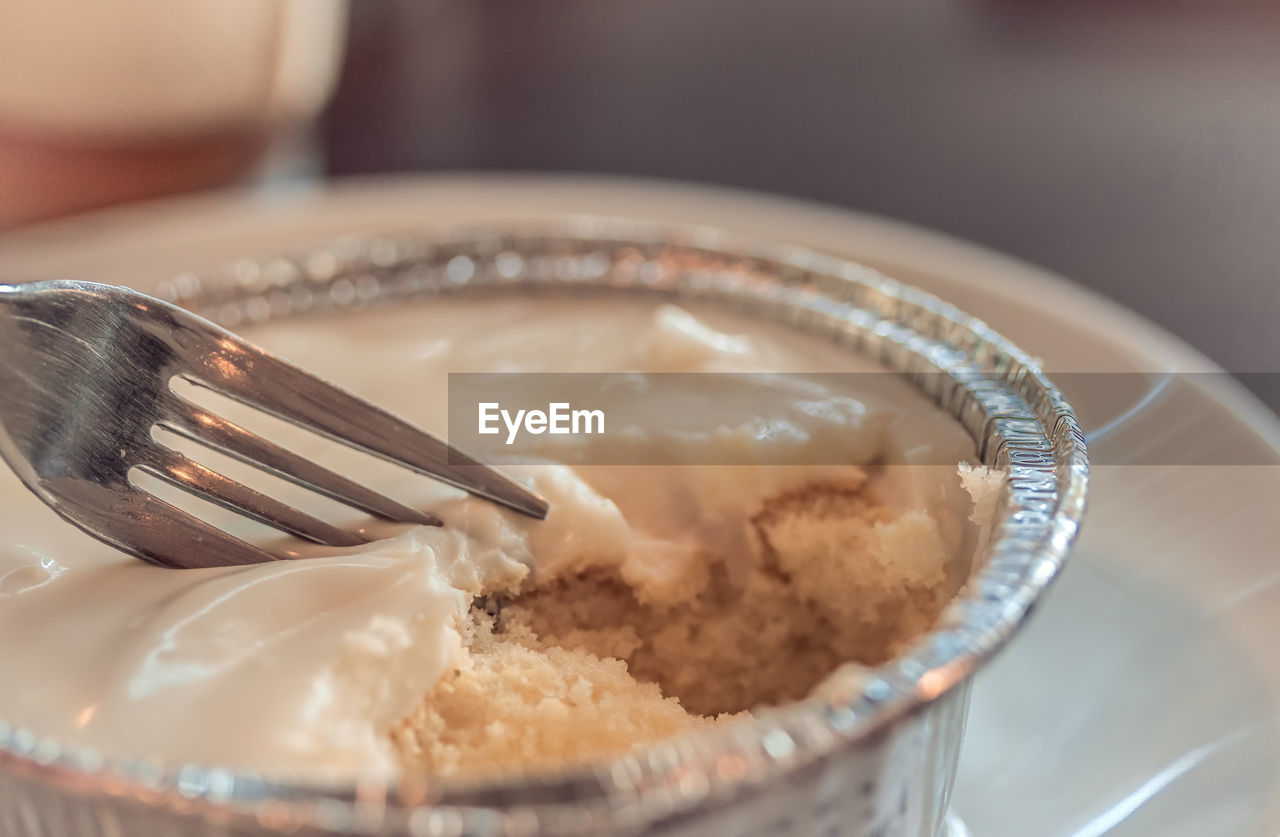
(653,600)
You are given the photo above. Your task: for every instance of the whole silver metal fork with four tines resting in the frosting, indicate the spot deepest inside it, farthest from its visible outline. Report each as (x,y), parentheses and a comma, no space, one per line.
(85,377)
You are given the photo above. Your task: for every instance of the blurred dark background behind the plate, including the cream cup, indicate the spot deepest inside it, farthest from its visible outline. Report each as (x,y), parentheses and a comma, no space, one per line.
(1132,147)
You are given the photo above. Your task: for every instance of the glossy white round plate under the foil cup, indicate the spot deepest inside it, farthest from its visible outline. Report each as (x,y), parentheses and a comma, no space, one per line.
(1145,697)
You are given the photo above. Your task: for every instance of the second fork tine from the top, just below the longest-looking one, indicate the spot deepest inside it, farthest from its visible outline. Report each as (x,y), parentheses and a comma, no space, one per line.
(220,434)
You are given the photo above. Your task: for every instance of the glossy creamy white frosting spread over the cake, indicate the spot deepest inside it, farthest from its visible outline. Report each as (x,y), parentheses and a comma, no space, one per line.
(300,667)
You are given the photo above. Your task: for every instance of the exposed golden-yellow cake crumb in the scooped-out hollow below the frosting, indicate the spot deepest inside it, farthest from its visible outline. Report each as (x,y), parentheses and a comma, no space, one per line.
(592,664)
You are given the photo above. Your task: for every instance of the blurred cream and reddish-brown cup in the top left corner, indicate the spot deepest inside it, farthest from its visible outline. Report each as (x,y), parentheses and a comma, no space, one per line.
(111,102)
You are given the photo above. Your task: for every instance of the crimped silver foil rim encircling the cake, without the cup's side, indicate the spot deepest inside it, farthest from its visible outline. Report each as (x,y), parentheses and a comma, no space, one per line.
(1020,420)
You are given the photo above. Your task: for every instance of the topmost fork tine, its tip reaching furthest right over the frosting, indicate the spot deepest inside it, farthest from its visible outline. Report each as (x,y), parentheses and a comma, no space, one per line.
(245,373)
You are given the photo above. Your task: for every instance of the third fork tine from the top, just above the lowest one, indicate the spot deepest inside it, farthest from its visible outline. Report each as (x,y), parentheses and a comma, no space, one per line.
(211,486)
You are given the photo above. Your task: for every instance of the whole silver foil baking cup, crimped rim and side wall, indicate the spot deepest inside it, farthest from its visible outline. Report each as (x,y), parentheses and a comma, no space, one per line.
(875,756)
